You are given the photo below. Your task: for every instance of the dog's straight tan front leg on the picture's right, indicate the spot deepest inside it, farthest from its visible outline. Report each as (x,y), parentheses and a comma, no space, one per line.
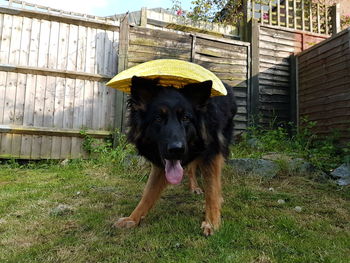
(213,199)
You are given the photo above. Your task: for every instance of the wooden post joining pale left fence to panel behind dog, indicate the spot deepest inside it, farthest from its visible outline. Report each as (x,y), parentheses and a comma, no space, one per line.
(122,65)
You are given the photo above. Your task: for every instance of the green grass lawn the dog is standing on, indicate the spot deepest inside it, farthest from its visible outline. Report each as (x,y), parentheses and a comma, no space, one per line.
(256,228)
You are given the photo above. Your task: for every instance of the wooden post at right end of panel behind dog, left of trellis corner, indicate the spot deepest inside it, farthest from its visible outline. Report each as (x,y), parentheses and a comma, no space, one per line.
(254,83)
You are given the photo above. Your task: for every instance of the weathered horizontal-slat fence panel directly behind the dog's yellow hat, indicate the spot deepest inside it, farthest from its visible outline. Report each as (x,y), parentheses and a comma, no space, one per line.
(228,59)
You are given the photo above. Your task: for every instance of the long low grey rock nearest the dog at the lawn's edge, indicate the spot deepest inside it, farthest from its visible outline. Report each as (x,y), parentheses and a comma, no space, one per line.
(256,166)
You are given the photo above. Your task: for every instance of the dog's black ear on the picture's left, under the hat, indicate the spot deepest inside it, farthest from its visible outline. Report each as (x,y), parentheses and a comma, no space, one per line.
(143,90)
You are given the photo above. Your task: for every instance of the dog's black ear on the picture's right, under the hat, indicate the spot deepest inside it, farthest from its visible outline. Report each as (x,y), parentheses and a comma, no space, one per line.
(198,93)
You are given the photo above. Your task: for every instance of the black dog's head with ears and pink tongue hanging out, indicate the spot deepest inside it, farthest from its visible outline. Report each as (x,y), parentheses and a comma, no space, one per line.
(164,121)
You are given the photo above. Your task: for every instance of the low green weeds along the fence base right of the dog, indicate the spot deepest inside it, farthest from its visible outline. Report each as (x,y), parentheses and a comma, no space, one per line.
(325,153)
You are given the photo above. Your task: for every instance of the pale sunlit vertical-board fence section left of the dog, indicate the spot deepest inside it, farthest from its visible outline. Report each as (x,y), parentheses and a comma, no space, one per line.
(53,66)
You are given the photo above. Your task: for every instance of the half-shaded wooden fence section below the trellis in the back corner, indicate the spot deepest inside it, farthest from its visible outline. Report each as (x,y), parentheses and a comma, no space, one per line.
(273,67)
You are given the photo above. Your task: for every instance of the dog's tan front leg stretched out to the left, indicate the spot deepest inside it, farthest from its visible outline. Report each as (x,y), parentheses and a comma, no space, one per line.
(154,187)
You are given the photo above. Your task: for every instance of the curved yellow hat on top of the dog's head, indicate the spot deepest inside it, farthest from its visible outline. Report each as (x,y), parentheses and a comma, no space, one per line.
(170,72)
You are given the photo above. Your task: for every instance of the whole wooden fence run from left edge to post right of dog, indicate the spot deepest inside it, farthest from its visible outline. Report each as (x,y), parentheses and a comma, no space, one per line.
(54,65)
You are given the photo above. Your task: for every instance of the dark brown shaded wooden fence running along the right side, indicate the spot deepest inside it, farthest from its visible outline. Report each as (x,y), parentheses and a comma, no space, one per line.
(324,85)
